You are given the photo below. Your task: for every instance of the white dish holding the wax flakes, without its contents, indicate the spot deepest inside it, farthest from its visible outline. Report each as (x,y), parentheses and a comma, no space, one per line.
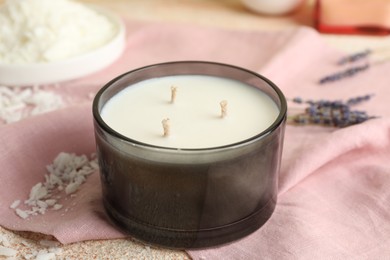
(68,69)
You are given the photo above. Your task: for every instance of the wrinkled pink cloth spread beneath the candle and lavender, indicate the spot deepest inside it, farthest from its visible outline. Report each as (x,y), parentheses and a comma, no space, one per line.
(334,198)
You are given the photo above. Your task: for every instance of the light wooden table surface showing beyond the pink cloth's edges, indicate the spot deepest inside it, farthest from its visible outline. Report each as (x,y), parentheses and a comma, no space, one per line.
(214,13)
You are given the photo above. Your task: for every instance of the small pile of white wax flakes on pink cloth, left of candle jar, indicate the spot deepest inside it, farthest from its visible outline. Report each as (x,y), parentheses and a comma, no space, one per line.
(67,170)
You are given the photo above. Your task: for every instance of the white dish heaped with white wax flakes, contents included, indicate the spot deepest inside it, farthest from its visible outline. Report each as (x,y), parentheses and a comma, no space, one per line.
(50,41)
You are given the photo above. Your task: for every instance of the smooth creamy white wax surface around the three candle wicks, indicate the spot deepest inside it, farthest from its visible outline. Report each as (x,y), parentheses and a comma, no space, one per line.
(195,116)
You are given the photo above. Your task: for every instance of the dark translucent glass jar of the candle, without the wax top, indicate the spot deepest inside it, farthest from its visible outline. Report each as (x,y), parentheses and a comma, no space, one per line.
(189,198)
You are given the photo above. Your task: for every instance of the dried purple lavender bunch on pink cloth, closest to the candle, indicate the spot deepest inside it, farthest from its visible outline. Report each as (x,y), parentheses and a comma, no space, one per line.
(331,113)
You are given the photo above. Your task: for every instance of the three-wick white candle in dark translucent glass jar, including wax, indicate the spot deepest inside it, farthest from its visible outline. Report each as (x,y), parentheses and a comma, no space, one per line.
(189,152)
